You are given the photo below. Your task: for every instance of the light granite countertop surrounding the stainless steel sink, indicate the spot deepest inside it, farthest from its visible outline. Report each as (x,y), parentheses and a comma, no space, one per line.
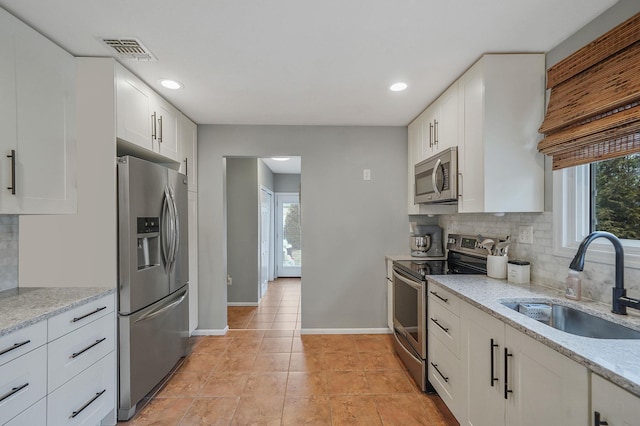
(615,359)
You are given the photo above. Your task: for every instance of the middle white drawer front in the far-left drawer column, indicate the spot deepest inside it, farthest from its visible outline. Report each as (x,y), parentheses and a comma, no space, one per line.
(23,382)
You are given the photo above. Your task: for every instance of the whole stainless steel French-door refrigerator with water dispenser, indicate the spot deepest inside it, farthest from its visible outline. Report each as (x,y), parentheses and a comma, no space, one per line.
(153,275)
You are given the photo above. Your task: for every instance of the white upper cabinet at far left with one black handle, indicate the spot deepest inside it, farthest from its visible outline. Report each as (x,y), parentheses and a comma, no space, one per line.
(37,111)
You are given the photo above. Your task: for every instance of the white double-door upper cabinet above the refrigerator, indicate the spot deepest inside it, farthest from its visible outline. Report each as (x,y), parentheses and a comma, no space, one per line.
(145,122)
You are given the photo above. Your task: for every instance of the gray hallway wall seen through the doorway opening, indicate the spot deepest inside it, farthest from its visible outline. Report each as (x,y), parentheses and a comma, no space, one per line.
(242,229)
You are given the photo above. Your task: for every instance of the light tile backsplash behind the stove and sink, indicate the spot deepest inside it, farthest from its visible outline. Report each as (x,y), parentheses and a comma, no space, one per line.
(547,269)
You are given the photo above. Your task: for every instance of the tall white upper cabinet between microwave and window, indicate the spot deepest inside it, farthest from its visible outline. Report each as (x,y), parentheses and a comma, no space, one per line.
(501,107)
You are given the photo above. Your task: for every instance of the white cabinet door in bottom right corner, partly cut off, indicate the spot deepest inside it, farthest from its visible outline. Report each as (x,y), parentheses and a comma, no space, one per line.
(612,404)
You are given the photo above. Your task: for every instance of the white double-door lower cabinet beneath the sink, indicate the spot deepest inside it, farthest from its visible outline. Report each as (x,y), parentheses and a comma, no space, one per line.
(511,379)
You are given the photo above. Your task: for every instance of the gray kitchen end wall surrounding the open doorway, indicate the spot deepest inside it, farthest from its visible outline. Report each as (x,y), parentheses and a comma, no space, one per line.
(349,225)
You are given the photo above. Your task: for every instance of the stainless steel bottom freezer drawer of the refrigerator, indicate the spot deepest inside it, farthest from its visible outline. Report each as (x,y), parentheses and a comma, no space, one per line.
(152,341)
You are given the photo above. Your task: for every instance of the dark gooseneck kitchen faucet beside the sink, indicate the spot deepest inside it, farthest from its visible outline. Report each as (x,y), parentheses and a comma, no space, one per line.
(620,300)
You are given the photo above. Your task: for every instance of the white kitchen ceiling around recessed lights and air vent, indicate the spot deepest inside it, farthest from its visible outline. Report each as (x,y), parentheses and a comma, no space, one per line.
(323,62)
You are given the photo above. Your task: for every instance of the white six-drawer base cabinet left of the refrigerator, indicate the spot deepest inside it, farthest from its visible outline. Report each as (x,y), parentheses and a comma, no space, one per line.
(67,379)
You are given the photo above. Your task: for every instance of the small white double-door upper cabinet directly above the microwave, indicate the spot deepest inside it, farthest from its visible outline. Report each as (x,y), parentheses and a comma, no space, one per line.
(440,123)
